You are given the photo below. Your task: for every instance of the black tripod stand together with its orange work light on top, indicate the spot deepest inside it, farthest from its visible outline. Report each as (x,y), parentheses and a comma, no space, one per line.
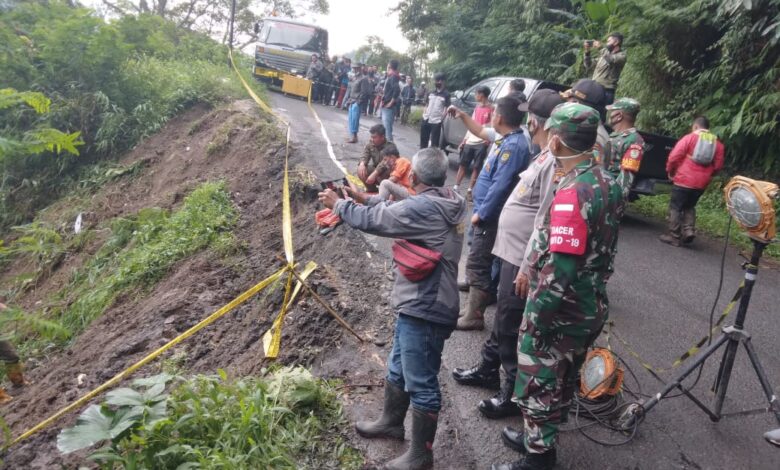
(761,233)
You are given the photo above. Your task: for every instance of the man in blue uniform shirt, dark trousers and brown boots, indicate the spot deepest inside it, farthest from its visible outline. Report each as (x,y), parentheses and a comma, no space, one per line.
(499,175)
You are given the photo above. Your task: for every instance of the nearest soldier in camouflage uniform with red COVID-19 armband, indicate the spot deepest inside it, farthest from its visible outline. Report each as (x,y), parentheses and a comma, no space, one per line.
(567,306)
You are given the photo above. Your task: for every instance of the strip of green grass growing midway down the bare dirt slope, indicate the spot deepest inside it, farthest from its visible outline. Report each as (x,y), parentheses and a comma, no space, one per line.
(139,252)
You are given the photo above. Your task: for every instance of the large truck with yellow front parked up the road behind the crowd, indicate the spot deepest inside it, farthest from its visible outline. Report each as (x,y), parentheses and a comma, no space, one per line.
(284,48)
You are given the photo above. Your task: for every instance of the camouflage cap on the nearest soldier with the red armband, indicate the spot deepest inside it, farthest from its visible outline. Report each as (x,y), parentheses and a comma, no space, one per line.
(577,124)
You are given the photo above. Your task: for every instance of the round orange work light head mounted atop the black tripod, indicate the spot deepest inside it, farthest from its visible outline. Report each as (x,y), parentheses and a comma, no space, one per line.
(751,204)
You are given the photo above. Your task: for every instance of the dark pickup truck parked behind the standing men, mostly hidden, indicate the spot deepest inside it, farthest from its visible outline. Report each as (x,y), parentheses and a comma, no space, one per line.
(657,147)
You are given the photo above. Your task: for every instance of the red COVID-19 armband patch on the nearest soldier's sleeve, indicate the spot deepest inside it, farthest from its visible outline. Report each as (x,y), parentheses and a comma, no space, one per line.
(568,229)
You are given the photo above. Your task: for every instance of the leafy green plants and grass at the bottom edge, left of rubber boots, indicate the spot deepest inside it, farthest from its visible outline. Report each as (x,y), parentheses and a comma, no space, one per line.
(285,420)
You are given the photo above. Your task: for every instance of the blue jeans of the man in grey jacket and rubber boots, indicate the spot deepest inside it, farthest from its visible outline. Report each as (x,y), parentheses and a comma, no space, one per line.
(415,360)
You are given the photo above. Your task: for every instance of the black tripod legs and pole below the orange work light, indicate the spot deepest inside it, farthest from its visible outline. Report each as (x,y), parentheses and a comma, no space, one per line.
(731,338)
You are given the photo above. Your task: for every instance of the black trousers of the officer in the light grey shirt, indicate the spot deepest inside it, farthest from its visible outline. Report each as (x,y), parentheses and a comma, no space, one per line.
(501,347)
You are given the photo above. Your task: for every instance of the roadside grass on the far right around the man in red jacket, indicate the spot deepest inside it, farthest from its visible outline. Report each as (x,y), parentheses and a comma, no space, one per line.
(712,217)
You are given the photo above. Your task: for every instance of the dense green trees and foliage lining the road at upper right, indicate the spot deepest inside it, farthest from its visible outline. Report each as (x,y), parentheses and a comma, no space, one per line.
(712,57)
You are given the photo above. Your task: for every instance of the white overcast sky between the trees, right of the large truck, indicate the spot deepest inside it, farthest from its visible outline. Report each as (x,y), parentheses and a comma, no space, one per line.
(350,22)
